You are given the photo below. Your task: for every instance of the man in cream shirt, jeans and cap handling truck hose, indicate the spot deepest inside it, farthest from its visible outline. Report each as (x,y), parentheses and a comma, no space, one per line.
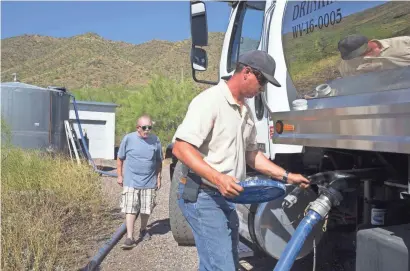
(216,140)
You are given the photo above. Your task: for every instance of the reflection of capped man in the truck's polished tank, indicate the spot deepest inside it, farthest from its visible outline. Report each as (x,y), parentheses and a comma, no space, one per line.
(360,55)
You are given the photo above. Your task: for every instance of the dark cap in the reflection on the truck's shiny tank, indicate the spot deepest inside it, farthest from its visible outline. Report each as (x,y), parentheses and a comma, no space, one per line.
(352,46)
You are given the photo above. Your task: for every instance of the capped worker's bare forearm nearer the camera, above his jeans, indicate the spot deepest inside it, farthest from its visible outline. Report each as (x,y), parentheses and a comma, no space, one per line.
(191,157)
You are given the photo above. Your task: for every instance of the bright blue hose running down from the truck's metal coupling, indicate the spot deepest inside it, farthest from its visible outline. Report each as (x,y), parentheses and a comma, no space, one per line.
(295,244)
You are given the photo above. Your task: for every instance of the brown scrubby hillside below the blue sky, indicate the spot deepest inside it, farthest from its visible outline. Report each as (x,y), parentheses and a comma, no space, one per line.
(89,60)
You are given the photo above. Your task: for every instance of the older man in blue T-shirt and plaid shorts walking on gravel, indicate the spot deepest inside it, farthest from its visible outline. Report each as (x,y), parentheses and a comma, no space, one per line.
(139,167)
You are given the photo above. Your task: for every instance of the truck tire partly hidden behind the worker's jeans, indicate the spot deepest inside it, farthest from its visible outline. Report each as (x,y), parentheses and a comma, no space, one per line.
(179,226)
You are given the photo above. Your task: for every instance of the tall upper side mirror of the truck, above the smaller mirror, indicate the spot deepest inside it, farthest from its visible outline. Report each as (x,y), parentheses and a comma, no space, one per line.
(199,26)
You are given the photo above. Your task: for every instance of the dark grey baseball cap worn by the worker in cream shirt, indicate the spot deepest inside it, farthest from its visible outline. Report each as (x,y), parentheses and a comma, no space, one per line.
(261,61)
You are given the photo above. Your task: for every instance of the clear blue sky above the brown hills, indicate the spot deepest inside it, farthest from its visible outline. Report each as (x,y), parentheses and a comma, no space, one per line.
(131,21)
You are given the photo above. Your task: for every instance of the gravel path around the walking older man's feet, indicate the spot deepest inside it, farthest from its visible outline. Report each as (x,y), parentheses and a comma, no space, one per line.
(161,252)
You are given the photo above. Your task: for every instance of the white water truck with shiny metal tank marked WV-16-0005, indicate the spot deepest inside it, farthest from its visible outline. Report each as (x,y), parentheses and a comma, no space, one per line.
(340,118)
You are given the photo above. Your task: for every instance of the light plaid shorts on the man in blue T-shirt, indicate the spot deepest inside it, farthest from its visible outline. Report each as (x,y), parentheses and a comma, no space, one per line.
(134,200)
